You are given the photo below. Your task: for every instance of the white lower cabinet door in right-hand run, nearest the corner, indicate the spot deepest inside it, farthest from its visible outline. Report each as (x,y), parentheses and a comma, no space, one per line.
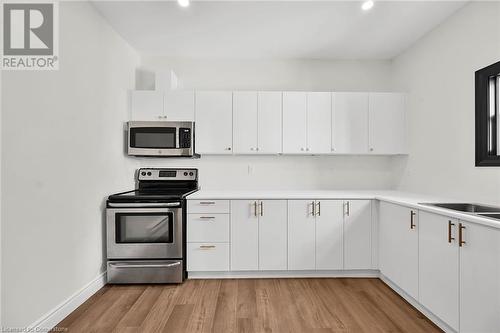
(398,246)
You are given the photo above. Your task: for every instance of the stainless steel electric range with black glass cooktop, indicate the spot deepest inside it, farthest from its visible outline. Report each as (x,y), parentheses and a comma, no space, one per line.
(146,227)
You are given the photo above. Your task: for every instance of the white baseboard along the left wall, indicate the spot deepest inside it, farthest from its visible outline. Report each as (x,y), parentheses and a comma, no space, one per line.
(61,311)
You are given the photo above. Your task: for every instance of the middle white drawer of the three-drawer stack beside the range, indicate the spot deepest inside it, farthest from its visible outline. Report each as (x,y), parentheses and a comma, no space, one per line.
(208,228)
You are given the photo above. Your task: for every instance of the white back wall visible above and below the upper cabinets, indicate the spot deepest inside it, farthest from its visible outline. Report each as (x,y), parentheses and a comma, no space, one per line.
(281,172)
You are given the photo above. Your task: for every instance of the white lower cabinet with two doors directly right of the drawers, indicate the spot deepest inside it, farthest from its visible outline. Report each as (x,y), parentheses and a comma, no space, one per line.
(258,235)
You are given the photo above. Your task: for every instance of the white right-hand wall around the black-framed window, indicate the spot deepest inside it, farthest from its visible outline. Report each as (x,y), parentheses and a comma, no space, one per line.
(438,72)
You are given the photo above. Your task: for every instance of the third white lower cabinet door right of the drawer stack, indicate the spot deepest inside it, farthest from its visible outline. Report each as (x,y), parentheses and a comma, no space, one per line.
(301,235)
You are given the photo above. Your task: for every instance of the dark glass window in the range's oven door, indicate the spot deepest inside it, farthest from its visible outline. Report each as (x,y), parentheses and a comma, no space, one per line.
(144,228)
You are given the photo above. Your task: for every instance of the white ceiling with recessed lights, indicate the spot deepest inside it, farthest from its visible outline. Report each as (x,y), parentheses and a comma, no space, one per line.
(276,30)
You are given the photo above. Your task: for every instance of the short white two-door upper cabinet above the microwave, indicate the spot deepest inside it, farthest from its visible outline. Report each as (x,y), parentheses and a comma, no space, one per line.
(151,105)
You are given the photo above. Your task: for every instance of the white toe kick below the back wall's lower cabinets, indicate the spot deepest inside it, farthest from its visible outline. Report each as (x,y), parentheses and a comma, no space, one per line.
(284,274)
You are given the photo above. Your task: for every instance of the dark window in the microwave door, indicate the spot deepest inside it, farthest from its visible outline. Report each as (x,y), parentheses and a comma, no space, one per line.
(153,137)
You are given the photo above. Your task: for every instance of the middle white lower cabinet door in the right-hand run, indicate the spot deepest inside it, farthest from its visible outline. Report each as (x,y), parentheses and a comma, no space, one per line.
(438,266)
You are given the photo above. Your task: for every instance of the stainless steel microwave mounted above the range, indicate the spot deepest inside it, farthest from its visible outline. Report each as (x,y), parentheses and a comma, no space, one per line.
(161,138)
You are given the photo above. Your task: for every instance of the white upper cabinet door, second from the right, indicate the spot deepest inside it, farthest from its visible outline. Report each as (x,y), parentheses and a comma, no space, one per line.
(350,123)
